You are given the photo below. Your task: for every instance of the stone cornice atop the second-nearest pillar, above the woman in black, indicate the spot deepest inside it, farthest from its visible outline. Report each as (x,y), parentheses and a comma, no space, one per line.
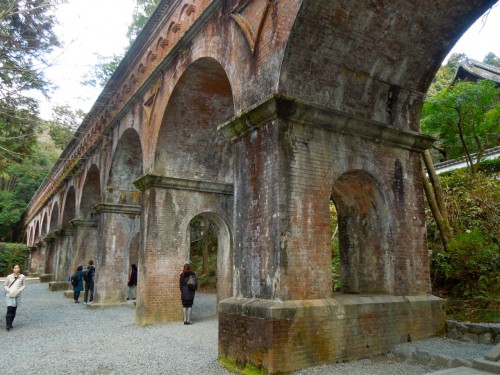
(148,181)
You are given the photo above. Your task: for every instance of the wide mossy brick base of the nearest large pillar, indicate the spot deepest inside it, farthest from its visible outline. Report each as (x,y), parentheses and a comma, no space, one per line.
(282,337)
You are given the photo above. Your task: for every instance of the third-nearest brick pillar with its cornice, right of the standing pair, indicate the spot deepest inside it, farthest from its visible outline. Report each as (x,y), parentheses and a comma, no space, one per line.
(118,223)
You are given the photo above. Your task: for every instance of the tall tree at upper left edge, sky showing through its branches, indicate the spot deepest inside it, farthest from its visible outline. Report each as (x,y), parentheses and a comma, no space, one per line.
(26,36)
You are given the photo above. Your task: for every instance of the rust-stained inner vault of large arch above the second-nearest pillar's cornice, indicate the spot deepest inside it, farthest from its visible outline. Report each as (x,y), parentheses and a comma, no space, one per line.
(189,145)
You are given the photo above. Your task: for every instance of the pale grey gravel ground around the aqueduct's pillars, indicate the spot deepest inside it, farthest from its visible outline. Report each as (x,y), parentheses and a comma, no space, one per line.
(53,335)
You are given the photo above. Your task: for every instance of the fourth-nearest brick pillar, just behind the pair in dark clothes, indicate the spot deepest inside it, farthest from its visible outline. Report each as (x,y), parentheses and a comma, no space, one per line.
(85,240)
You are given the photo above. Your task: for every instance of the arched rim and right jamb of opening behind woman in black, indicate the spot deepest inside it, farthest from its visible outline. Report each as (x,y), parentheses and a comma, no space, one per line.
(224,253)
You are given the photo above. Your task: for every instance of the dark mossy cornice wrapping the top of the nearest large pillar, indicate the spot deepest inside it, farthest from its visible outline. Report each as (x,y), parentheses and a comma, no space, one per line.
(300,112)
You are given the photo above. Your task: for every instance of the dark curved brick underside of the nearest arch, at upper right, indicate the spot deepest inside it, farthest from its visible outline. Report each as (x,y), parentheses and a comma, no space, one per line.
(372,59)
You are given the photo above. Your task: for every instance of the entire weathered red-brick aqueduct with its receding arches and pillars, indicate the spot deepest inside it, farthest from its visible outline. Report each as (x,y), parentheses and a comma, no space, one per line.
(254,114)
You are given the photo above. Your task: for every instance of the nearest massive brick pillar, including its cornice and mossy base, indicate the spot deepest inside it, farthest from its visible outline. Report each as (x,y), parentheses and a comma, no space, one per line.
(289,156)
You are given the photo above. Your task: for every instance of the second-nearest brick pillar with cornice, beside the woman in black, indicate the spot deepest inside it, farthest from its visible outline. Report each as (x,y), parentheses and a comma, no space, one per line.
(168,205)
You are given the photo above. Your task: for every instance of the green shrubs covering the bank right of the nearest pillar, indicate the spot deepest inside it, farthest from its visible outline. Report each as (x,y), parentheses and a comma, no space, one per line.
(469,269)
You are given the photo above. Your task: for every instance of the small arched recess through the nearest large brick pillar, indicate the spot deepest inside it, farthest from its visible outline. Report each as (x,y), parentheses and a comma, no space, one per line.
(366,264)
